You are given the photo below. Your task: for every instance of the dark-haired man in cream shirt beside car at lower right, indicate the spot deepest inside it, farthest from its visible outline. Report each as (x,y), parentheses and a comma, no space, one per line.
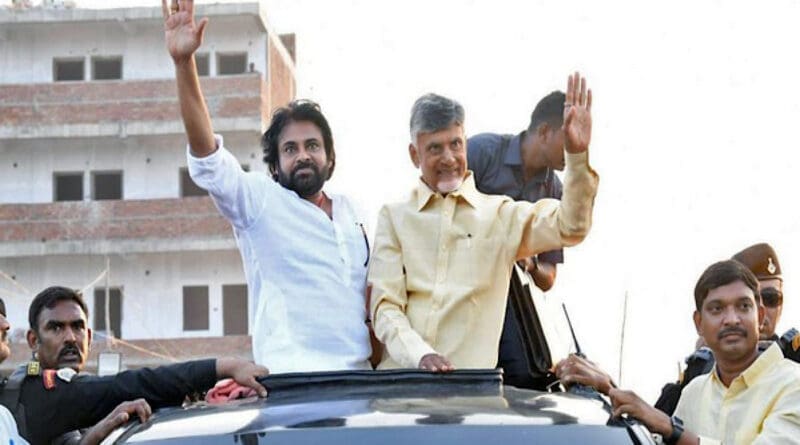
(750,397)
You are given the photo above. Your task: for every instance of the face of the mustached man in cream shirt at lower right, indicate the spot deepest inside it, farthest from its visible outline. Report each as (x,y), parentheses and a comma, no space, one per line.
(729,320)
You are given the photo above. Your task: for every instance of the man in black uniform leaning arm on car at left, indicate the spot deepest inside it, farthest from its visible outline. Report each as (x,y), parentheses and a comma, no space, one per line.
(50,397)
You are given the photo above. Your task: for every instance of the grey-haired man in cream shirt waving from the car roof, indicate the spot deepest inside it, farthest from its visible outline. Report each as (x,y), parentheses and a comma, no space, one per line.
(443,258)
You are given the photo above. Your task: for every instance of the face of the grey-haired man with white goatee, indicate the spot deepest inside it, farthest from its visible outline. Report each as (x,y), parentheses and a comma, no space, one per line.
(442,157)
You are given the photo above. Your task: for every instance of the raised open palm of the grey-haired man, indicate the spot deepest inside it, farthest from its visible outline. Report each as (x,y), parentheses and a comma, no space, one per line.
(577,115)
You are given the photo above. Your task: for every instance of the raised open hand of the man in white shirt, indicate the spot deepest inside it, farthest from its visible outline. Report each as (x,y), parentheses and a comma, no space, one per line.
(182,34)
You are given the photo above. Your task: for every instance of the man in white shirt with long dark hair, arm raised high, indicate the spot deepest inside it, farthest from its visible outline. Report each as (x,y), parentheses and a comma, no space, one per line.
(304,251)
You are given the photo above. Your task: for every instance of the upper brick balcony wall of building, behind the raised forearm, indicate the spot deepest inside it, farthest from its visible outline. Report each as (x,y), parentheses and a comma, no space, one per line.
(131,107)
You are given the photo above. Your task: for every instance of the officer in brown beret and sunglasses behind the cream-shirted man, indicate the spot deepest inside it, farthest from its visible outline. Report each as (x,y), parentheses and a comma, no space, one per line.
(762,260)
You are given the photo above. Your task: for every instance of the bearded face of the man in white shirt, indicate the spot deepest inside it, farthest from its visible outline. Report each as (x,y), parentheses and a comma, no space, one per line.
(303,165)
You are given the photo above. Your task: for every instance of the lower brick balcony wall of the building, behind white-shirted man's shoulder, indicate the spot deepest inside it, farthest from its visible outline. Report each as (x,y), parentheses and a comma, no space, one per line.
(113,227)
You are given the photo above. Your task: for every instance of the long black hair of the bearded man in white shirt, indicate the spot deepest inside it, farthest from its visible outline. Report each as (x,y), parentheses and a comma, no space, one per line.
(296,111)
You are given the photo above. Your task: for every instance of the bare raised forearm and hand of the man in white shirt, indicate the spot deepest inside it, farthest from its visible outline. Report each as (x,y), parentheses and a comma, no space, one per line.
(183,36)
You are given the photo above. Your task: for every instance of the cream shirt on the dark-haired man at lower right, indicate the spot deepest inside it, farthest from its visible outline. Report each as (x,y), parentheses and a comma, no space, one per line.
(761,406)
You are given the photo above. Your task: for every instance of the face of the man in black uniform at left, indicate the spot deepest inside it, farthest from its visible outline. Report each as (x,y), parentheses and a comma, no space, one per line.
(63,337)
